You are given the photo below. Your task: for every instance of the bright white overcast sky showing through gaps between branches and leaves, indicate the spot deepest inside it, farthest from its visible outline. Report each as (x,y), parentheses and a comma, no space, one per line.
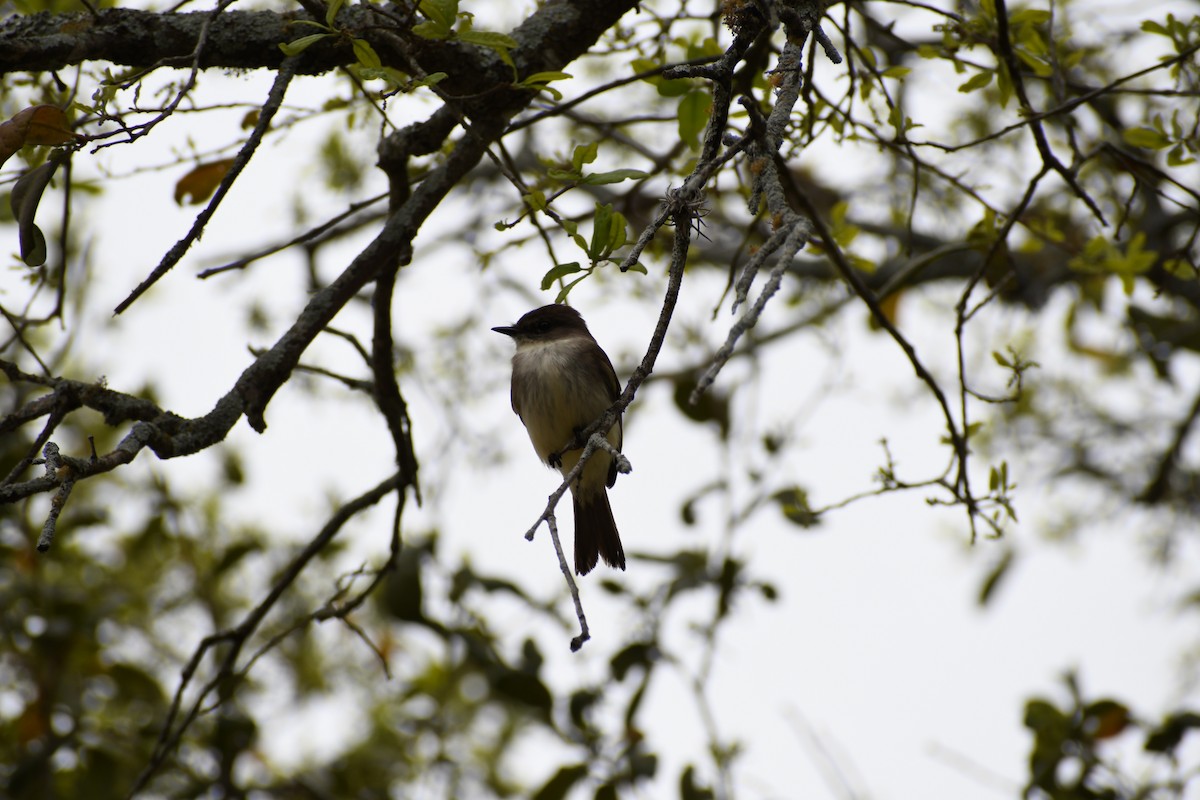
(877,649)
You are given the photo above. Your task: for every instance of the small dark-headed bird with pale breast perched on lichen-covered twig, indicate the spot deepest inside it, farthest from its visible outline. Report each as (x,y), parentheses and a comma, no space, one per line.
(562,383)
